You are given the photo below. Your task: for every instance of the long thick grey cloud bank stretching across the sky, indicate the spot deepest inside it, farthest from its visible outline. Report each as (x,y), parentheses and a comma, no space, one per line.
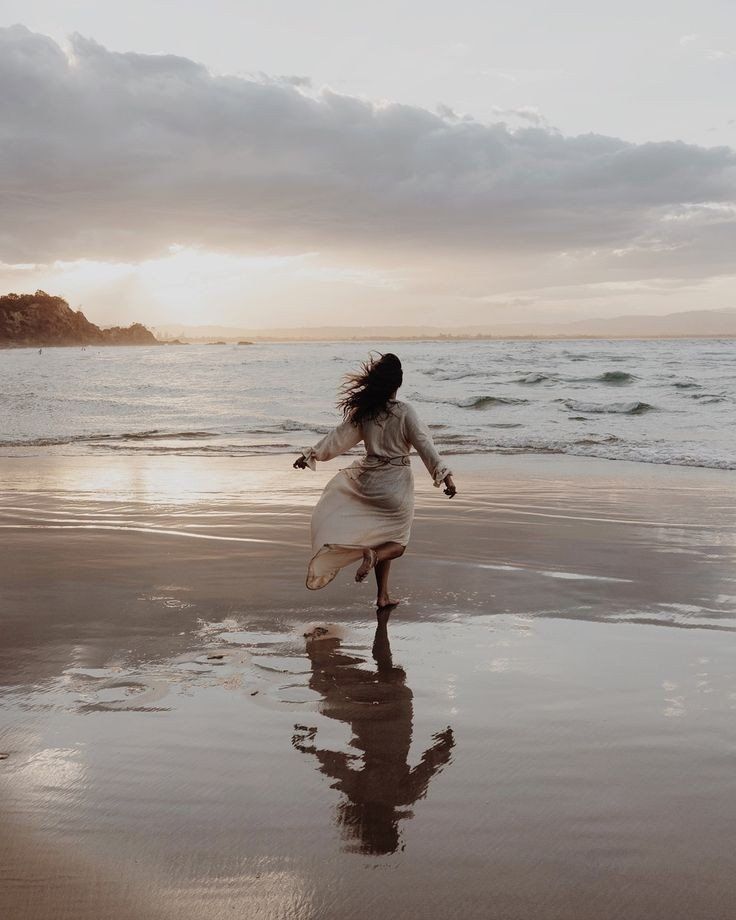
(113,155)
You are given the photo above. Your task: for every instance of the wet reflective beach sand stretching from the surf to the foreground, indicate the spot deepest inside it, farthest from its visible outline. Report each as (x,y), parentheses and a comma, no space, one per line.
(545,728)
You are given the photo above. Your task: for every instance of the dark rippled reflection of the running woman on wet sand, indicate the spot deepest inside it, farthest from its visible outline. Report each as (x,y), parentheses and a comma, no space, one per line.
(379,784)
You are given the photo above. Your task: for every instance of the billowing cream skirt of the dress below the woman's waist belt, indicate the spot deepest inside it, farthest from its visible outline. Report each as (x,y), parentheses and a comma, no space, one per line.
(361,507)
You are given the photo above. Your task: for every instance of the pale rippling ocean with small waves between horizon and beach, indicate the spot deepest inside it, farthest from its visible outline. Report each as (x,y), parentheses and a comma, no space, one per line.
(668,401)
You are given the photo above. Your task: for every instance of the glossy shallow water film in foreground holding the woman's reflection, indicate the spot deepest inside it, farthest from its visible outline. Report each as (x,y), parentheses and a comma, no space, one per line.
(489,766)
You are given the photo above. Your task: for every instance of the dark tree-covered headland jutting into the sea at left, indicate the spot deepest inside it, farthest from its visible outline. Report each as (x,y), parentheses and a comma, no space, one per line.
(40,320)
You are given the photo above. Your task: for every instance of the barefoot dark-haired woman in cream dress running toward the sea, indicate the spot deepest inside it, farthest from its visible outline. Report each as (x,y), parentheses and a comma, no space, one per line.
(366,510)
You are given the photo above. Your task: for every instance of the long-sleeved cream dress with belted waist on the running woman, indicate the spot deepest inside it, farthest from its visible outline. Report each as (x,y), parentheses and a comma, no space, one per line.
(372,501)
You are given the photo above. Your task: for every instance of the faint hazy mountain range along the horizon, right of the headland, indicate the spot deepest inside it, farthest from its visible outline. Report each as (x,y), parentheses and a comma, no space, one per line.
(690,324)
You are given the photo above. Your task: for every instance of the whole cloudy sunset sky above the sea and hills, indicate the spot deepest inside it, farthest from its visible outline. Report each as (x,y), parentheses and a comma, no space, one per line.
(416,163)
